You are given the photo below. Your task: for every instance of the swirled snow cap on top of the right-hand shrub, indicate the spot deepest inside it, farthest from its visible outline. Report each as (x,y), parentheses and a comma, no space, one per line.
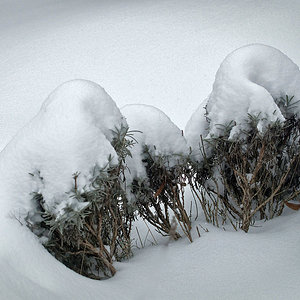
(247,82)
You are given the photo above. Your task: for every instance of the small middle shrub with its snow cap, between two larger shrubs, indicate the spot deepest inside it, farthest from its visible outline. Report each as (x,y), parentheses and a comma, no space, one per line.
(156,169)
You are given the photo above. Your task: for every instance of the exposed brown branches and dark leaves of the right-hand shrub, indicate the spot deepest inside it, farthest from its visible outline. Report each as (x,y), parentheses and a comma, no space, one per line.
(250,177)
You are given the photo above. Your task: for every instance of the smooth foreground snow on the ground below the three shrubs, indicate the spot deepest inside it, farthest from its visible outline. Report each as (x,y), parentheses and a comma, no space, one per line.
(263,264)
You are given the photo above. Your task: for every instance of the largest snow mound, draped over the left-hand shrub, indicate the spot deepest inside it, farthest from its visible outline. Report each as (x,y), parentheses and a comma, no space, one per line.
(71,133)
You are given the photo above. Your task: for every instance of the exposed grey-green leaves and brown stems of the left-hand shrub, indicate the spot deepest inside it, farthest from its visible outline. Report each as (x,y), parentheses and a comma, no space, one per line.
(94,228)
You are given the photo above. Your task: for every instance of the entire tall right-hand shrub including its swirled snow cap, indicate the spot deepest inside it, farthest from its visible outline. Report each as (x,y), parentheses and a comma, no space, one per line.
(245,139)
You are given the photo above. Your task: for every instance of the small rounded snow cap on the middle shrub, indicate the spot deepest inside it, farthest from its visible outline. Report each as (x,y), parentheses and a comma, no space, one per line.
(155,130)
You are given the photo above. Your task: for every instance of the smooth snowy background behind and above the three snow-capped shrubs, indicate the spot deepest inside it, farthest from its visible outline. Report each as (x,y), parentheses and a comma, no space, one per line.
(161,53)
